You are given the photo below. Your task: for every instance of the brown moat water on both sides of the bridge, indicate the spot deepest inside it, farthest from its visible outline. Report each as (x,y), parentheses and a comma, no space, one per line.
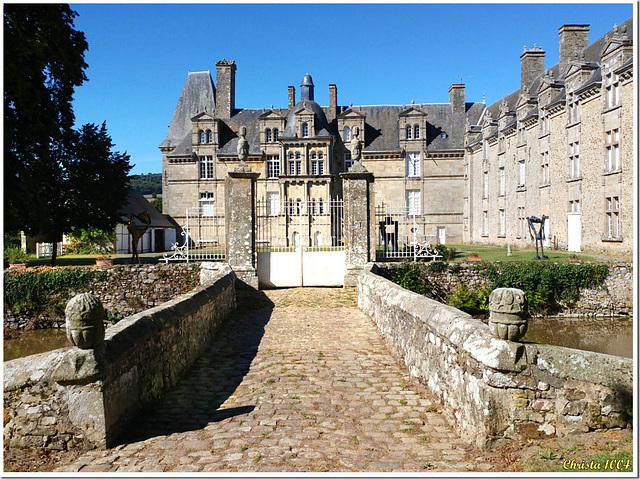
(613,336)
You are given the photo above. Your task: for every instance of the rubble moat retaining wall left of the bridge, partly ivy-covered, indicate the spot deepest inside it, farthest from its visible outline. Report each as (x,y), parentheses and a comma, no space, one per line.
(125,290)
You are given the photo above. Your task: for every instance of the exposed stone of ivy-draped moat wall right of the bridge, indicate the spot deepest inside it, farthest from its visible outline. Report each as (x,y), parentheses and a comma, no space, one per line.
(613,298)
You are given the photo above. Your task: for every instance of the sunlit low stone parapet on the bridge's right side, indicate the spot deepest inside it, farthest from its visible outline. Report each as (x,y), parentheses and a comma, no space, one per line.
(493,389)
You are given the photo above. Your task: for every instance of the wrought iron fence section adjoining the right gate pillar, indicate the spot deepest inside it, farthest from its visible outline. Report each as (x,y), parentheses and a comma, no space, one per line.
(402,234)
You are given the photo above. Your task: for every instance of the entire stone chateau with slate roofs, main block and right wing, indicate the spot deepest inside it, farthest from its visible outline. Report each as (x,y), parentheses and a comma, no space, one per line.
(560,146)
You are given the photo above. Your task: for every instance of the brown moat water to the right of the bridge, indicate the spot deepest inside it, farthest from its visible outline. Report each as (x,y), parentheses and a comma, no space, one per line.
(613,336)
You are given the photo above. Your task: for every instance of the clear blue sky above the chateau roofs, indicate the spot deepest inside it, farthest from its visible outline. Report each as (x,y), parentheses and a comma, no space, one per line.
(139,55)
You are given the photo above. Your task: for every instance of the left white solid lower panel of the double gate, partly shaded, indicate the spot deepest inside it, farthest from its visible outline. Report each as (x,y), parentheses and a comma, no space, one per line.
(280,269)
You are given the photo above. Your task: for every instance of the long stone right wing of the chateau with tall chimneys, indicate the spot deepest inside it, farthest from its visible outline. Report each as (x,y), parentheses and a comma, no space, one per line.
(561,146)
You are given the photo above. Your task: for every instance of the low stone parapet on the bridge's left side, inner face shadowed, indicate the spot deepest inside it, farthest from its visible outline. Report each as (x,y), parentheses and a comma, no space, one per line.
(71,396)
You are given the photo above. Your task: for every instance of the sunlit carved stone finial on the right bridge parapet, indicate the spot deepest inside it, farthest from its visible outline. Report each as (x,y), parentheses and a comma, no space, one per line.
(508,313)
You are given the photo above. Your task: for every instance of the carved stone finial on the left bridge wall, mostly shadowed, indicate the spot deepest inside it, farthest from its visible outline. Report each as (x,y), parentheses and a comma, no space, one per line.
(85,321)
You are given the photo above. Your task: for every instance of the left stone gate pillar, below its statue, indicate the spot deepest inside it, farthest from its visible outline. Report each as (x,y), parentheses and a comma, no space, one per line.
(240,191)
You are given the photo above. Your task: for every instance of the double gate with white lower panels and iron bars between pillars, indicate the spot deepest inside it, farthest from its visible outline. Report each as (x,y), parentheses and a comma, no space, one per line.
(299,243)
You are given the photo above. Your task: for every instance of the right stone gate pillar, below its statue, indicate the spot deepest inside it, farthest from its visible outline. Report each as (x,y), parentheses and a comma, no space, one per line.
(357,186)
